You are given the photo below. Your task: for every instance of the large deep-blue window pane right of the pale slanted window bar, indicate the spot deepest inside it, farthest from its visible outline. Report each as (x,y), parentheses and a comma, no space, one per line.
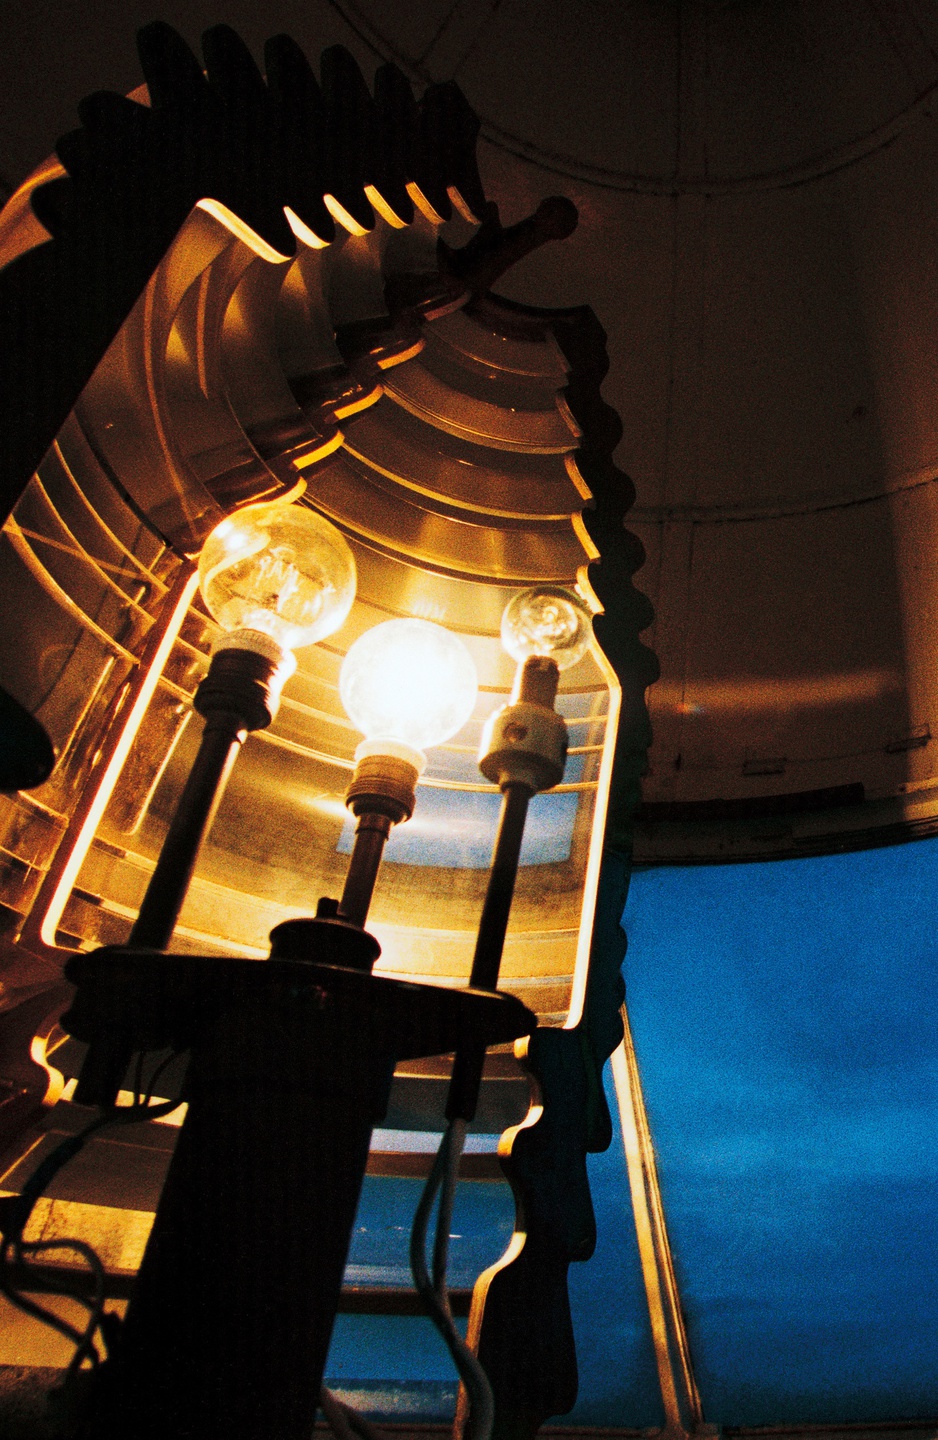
(786,1020)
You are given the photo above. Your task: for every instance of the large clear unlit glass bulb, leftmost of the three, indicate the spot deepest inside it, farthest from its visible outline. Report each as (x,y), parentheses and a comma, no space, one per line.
(280,570)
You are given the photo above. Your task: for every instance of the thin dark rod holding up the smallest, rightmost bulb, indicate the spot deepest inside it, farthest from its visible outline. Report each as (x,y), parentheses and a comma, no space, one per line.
(468,1066)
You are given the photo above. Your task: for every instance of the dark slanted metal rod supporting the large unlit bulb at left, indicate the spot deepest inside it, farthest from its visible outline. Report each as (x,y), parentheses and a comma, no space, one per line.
(221,742)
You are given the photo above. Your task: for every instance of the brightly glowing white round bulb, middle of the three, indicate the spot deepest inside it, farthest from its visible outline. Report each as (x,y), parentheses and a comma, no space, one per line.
(408,682)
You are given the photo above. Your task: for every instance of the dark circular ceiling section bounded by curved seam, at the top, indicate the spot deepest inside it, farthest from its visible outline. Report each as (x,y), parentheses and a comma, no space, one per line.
(649,97)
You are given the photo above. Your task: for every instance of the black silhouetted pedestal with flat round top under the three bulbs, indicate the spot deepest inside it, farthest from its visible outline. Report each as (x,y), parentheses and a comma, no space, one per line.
(230,1324)
